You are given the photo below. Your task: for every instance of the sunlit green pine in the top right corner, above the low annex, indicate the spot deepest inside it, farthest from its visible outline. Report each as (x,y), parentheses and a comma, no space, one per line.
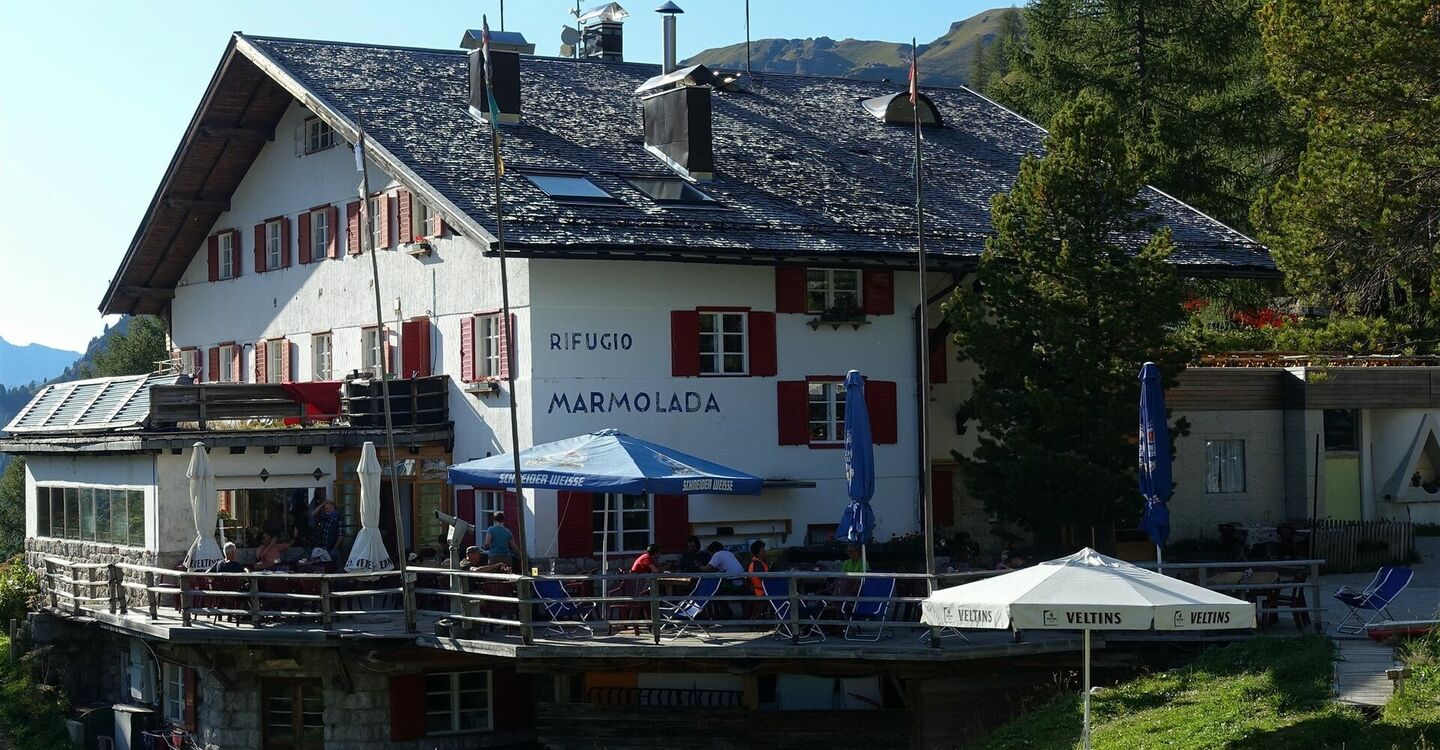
(1359,225)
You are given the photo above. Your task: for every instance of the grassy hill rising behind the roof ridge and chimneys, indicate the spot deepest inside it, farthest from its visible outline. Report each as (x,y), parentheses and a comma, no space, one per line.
(947,61)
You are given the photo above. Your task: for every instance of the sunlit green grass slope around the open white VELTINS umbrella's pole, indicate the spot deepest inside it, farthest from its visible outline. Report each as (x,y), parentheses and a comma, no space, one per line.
(1264,695)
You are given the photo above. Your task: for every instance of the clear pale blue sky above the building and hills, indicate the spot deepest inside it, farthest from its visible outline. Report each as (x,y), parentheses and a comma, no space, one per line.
(94,97)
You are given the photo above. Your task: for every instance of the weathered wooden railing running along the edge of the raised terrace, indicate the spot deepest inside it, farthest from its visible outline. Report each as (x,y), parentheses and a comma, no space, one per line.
(485,605)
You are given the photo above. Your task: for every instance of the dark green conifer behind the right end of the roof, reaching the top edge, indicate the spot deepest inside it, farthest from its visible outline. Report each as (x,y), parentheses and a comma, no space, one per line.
(1187,78)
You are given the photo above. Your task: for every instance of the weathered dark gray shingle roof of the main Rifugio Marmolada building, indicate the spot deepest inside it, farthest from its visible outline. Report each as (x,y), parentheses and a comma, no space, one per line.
(801,169)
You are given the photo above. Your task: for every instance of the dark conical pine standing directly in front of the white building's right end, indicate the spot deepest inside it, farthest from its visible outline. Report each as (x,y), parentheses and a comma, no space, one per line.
(1072,294)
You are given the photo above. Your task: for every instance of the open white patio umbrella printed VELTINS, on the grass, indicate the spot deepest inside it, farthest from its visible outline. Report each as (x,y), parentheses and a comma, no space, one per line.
(1086,592)
